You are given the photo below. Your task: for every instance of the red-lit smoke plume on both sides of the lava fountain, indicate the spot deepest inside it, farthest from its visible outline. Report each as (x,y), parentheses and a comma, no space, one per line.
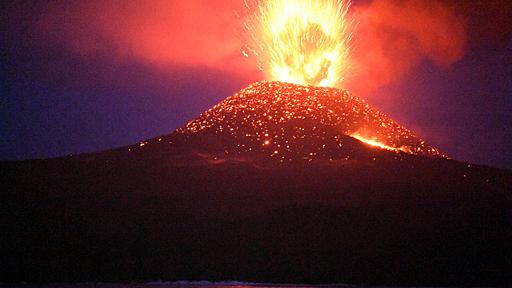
(393,36)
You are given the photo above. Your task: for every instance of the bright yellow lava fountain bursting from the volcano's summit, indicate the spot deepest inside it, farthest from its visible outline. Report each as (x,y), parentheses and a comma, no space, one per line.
(302,41)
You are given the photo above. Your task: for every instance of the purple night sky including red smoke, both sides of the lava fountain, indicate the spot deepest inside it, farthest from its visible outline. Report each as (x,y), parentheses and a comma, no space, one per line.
(87,76)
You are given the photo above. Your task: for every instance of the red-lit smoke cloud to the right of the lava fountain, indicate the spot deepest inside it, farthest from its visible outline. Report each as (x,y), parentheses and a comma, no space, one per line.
(395,36)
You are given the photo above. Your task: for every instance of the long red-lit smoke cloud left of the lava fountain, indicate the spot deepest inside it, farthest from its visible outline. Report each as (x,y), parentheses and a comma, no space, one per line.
(160,32)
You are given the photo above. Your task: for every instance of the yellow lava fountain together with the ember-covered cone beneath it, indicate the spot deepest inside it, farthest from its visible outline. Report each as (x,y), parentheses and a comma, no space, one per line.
(305,44)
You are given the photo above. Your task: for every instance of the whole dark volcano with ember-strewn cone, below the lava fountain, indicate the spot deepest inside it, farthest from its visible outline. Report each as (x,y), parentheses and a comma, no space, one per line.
(270,185)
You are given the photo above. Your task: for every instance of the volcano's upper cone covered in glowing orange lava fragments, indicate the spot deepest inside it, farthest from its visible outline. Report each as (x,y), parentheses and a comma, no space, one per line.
(289,122)
